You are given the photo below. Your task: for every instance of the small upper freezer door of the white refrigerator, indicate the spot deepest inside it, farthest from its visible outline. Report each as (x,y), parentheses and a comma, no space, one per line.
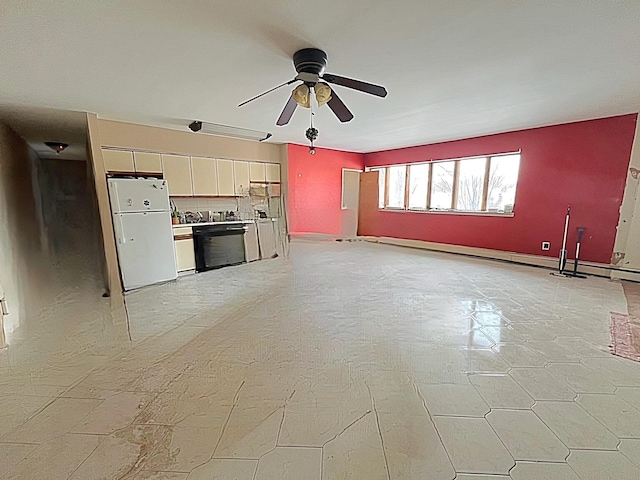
(137,195)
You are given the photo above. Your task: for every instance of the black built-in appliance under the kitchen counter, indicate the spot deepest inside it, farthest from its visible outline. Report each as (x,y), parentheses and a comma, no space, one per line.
(218,245)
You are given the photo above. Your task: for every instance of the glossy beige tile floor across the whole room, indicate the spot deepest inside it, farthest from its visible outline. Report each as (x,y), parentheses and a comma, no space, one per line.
(346,361)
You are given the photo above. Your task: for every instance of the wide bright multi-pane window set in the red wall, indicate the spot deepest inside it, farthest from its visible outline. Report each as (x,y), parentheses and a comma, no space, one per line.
(478,184)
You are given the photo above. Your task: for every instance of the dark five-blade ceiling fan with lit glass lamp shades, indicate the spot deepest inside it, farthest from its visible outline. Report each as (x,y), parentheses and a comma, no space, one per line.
(310,64)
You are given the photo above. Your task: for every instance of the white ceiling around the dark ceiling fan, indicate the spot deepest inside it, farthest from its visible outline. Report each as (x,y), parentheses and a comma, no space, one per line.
(453,68)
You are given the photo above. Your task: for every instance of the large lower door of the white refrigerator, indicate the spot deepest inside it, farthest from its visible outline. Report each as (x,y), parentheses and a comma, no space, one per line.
(145,248)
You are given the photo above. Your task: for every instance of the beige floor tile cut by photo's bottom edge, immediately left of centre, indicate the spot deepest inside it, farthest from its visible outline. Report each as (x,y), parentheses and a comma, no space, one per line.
(290,463)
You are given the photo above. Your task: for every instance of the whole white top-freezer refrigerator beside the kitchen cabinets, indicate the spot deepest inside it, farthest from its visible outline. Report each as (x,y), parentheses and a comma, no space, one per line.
(142,226)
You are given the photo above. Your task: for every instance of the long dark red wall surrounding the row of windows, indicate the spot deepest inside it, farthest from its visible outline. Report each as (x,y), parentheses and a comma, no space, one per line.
(583,164)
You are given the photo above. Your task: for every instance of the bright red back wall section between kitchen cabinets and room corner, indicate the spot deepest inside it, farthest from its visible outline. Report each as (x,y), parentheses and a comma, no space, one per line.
(315,188)
